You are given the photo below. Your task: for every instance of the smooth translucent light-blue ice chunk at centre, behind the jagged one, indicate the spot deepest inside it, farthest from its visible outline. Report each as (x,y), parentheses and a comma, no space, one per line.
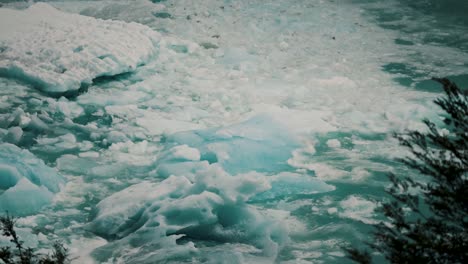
(259,144)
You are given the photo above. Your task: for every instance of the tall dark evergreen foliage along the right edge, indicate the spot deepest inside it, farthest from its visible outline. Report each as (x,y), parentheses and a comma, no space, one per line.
(427,220)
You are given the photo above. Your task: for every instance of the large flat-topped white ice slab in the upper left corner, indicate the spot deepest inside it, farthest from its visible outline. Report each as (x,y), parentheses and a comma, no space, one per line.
(60,52)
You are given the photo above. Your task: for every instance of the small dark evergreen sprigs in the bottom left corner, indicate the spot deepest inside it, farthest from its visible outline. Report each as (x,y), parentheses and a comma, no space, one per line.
(25,255)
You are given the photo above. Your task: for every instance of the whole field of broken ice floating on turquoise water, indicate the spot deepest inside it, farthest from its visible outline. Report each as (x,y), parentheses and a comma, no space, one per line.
(212,131)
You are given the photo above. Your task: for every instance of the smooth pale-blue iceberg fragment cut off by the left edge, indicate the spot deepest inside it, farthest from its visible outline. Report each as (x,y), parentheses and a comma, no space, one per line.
(26,183)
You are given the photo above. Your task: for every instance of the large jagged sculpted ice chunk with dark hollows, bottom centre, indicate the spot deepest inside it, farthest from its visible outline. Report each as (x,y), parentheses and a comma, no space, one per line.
(212,206)
